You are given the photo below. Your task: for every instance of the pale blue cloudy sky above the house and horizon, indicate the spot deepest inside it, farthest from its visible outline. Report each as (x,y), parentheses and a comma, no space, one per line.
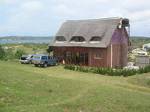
(44,17)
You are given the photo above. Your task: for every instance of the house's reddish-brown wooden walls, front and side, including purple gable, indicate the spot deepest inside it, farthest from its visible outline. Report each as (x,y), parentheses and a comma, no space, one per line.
(118,47)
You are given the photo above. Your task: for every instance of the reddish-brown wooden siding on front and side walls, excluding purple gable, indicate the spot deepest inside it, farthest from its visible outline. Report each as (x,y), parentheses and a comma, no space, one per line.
(119,56)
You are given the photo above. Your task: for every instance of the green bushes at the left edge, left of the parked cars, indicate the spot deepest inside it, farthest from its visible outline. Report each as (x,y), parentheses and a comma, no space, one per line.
(9,54)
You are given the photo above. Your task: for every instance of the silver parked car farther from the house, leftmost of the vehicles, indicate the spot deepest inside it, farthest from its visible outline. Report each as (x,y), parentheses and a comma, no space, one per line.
(26,59)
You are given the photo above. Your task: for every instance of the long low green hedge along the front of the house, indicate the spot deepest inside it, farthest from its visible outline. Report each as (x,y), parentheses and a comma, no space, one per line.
(108,71)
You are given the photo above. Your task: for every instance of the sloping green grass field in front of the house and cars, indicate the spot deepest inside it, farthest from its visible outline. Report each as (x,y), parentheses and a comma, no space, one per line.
(24,88)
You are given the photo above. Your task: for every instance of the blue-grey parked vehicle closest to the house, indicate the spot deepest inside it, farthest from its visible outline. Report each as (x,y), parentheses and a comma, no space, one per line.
(44,60)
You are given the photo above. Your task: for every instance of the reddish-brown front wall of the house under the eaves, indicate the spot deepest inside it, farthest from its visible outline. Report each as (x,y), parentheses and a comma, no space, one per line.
(92,61)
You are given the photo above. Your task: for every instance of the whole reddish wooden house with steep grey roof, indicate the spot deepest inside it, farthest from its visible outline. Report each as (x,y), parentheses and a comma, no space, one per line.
(99,42)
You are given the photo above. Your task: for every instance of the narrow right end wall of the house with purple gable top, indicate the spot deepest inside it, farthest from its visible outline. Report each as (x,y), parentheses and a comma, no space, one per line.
(119,48)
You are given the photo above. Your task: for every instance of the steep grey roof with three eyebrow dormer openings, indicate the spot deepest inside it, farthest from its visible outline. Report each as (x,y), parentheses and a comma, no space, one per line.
(87,29)
